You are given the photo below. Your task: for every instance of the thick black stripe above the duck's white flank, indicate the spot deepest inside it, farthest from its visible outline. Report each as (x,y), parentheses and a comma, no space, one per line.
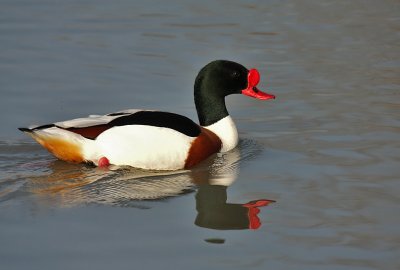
(174,121)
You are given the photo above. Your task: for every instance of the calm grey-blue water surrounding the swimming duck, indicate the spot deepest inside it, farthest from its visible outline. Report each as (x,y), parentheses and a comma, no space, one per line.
(326,150)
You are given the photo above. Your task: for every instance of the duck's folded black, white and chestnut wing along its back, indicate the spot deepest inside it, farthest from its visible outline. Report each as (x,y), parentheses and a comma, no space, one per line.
(92,126)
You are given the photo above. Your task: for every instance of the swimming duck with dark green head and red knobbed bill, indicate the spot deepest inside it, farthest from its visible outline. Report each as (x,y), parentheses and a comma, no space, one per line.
(157,140)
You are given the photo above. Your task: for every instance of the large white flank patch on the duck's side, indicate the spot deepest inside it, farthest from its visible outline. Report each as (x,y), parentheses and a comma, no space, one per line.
(146,147)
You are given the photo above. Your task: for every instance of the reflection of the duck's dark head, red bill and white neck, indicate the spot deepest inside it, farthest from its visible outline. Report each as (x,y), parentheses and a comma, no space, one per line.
(213,211)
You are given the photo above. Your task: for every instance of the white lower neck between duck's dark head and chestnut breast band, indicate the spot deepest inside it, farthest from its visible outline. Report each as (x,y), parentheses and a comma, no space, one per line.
(226,130)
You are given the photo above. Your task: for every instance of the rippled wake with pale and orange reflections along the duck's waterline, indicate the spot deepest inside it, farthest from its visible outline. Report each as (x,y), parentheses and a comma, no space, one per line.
(31,171)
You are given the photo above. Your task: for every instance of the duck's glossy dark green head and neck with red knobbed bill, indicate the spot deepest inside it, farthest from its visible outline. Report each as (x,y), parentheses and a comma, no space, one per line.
(219,79)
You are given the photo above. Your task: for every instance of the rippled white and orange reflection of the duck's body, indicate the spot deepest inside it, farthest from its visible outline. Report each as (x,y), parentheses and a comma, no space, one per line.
(70,185)
